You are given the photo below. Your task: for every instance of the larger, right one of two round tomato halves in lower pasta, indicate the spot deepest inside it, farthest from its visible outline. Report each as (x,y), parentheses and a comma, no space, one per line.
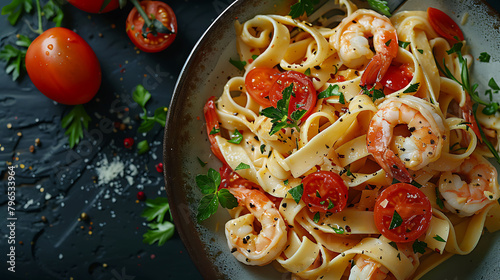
(413,207)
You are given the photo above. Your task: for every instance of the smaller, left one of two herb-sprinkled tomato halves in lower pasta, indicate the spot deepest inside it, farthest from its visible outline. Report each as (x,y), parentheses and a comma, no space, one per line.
(324,191)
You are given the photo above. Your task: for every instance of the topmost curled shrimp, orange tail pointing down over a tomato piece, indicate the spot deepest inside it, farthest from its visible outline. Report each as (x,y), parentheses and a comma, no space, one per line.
(351,41)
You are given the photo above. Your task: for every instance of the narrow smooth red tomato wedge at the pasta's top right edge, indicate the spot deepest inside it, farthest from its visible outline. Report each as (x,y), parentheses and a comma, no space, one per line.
(444,25)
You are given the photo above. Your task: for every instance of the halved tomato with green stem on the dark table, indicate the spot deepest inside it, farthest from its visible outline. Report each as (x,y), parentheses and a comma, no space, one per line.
(160,11)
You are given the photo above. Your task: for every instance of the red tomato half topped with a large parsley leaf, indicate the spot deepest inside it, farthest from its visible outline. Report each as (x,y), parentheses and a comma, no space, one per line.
(305,94)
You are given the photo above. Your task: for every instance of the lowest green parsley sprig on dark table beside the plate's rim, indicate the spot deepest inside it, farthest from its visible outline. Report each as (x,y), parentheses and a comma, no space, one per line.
(160,230)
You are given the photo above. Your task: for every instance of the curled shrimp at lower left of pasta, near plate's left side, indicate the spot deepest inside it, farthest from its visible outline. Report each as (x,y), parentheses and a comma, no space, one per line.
(248,246)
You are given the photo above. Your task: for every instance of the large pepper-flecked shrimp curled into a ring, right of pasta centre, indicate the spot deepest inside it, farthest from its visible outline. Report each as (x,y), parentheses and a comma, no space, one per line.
(396,153)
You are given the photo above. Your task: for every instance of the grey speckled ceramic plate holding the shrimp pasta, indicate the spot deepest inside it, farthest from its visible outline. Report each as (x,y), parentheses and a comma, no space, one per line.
(205,74)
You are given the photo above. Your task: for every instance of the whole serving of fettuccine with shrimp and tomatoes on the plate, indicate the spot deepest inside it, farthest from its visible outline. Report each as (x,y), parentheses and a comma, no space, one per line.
(375,114)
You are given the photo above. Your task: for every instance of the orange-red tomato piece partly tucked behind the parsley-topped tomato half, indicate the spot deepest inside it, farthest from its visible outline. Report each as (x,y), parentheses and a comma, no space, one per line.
(258,82)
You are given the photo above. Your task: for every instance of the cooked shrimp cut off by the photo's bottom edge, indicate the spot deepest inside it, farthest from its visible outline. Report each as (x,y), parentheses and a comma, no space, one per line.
(367,269)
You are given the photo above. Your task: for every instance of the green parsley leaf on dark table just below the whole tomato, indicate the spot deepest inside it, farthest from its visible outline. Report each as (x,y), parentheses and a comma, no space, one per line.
(74,123)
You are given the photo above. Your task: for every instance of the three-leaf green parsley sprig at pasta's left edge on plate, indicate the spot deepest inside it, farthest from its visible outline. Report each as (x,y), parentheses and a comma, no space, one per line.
(209,203)
